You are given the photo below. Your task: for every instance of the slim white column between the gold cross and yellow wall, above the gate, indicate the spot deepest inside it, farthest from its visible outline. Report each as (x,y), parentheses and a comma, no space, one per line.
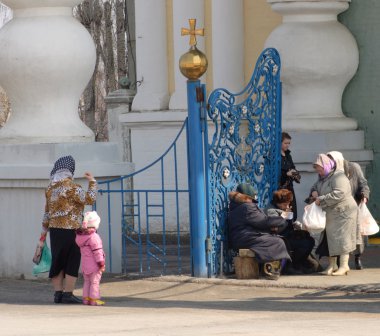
(228,44)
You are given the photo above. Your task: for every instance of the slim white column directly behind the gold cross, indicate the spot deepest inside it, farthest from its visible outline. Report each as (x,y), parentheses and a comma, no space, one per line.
(183,10)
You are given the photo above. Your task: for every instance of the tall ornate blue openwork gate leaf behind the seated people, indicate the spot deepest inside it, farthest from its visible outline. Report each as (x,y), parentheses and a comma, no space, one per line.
(244,147)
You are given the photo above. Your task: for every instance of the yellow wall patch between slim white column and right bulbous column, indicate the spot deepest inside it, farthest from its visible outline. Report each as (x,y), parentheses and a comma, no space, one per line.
(259,22)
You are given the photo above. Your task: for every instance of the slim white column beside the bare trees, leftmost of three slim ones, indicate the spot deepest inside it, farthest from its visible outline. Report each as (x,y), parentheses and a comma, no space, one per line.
(151,54)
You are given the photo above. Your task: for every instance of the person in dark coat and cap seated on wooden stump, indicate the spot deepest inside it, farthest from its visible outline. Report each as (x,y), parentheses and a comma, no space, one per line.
(250,228)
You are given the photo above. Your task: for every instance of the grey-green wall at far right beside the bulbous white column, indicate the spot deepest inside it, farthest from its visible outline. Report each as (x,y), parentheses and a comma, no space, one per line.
(361,99)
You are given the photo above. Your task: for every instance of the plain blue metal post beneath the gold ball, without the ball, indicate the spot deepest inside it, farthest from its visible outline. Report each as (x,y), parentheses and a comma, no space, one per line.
(197,197)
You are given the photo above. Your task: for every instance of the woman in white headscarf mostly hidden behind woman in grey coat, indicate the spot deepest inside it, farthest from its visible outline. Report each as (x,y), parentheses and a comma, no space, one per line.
(360,192)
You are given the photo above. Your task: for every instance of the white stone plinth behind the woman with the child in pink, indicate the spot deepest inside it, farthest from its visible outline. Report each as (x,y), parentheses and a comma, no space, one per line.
(24,175)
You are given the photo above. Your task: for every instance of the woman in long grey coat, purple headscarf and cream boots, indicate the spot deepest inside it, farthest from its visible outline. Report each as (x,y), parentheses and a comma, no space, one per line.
(332,192)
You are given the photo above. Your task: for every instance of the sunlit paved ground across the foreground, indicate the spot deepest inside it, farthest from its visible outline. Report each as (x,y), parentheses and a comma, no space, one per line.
(293,305)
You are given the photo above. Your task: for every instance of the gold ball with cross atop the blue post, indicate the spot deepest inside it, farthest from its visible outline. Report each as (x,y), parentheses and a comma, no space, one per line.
(193,64)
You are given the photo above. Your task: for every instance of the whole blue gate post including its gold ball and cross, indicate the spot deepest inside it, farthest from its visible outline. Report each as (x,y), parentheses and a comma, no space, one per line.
(193,65)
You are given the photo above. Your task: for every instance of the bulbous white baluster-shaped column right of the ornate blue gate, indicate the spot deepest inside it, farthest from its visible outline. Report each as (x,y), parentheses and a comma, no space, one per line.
(319,57)
